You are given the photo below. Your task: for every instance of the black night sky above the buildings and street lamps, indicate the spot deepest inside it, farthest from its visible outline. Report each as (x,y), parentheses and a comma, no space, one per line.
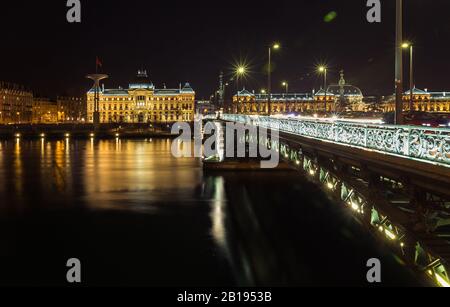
(179,41)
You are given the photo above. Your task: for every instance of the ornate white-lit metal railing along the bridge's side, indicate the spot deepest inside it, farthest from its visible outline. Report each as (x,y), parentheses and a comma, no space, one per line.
(420,143)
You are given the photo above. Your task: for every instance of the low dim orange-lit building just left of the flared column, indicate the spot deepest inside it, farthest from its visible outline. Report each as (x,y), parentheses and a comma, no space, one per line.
(71,109)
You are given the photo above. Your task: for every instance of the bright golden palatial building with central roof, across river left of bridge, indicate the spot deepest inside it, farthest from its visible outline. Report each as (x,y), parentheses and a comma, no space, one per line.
(143,103)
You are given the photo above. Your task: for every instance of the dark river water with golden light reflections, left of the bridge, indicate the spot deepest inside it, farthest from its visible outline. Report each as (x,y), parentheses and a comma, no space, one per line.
(136,216)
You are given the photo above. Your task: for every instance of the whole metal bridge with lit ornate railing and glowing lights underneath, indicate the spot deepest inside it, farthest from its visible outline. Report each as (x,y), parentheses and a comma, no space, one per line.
(394,179)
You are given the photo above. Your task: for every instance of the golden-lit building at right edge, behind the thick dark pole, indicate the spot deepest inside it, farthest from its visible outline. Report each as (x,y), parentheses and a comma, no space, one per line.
(423,101)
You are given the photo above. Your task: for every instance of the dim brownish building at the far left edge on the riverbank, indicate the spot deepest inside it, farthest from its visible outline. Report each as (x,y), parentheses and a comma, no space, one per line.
(16,104)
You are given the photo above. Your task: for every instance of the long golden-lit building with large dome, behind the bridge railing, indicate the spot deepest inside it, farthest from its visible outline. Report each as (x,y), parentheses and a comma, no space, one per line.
(340,97)
